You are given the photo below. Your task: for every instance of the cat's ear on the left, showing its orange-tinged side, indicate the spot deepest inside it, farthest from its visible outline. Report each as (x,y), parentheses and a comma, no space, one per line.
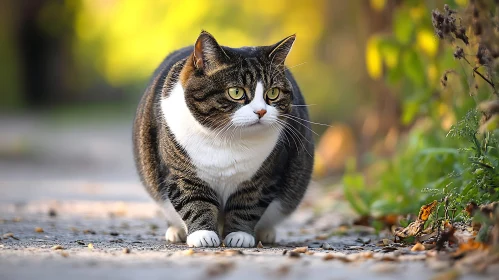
(208,55)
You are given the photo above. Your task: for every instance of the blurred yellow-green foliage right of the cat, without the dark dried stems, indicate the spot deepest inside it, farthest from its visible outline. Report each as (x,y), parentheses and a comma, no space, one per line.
(439,158)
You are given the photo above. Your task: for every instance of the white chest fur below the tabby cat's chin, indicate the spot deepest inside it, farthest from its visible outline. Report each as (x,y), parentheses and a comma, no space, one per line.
(223,164)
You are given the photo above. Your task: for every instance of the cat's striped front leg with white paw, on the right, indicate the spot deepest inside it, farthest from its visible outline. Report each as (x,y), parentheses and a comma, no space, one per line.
(243,210)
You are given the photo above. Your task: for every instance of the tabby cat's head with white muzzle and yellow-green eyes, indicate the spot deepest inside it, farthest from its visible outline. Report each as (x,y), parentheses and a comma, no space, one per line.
(237,88)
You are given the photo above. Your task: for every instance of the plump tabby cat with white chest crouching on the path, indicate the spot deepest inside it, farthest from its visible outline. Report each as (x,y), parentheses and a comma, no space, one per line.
(223,143)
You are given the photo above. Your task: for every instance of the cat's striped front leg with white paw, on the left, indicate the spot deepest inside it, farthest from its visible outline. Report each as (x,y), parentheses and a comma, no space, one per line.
(197,206)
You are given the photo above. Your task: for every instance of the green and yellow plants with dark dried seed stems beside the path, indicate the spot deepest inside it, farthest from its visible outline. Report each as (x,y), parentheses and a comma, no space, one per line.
(454,164)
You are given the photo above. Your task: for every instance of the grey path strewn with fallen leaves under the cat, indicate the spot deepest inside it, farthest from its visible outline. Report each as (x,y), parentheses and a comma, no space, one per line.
(71,207)
